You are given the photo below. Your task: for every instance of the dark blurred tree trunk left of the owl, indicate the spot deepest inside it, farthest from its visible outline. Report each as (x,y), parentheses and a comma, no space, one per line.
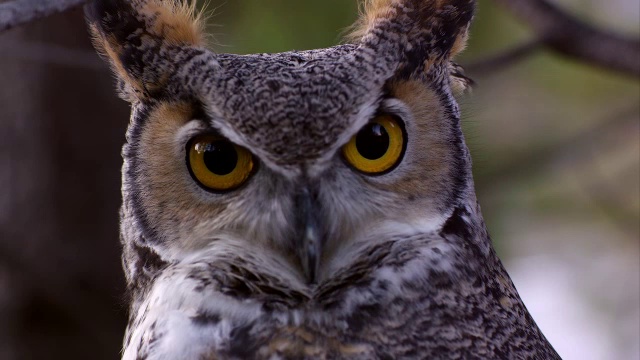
(61,129)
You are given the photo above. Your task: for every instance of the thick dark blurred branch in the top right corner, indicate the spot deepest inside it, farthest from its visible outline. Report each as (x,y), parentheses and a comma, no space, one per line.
(567,35)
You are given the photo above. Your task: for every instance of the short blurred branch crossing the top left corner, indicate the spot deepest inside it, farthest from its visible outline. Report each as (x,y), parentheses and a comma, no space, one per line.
(18,12)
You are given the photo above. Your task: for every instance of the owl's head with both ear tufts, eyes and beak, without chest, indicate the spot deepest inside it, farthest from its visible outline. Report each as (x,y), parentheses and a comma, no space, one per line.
(299,157)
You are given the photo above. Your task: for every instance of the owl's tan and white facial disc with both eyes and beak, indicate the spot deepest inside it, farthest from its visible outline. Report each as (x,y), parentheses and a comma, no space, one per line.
(392,163)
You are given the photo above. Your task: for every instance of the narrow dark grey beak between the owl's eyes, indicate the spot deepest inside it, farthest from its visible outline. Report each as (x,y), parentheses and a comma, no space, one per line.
(309,236)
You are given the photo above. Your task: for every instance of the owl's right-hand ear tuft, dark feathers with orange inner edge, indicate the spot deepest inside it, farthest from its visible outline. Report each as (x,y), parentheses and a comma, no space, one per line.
(426,32)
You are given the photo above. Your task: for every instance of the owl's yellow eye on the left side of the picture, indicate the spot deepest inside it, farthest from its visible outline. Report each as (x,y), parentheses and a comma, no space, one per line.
(218,164)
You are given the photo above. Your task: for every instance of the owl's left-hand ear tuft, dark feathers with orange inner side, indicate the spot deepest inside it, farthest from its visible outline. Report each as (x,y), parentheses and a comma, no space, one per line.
(138,36)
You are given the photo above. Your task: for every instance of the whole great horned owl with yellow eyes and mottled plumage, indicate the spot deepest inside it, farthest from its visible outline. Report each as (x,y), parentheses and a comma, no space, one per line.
(308,204)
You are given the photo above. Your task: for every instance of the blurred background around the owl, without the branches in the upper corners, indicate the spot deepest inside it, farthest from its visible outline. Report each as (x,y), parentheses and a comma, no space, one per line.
(555,144)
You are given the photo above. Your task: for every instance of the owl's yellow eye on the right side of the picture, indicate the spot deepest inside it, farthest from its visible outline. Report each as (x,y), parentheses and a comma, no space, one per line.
(377,147)
